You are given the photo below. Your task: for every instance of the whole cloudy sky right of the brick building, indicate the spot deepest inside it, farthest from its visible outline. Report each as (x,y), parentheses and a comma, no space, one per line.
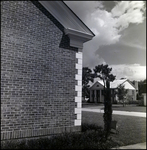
(120,36)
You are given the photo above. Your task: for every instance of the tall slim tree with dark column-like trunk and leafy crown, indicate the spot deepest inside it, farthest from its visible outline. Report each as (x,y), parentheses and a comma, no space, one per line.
(104,73)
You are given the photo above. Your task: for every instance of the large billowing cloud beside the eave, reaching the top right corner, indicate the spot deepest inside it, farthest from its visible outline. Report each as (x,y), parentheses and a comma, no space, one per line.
(107,28)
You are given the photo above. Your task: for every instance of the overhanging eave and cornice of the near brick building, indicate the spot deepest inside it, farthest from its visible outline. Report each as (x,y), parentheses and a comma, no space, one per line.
(73,25)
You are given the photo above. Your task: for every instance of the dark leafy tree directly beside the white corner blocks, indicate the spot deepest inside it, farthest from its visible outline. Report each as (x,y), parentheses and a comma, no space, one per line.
(87,76)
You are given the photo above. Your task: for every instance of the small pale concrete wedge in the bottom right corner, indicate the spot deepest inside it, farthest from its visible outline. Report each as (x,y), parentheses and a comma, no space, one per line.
(133,146)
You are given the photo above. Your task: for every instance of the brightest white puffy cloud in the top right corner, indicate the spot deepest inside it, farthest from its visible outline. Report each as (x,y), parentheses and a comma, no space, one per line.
(127,12)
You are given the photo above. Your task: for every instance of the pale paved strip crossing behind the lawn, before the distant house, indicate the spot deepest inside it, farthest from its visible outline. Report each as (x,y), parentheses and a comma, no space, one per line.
(115,112)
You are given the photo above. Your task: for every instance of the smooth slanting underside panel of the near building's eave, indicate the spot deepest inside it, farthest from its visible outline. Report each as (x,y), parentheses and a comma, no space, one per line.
(70,20)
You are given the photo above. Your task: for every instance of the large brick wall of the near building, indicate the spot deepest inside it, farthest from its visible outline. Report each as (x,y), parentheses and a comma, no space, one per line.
(38,70)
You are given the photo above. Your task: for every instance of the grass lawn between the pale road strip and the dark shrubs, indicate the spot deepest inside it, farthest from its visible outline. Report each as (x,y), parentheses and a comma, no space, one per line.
(132,129)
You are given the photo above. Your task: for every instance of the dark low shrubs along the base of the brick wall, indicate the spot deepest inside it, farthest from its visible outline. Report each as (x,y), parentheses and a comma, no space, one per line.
(89,138)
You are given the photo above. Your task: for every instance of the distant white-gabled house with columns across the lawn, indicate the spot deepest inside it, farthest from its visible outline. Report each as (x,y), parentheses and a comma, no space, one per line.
(97,90)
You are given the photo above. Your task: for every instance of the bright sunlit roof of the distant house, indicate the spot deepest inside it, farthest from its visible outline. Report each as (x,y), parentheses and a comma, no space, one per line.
(115,83)
